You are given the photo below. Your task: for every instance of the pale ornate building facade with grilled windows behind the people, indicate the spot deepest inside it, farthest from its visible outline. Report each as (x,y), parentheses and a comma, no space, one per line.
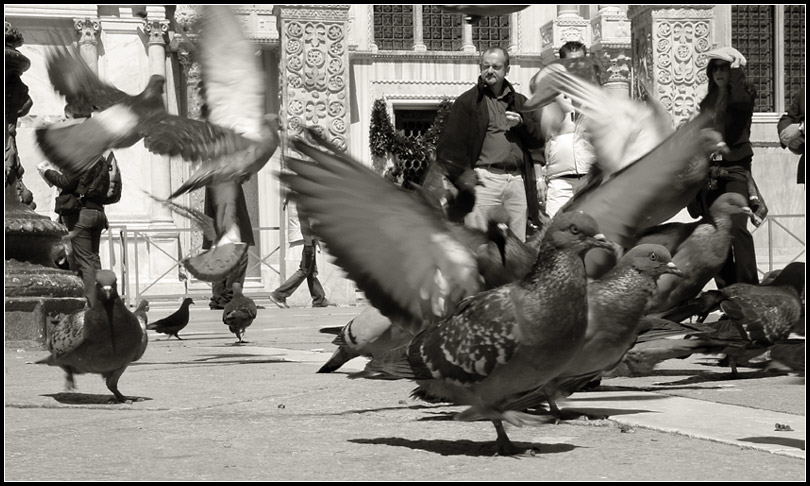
(327,64)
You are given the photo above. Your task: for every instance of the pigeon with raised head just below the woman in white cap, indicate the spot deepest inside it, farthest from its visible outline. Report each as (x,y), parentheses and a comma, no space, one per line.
(701,255)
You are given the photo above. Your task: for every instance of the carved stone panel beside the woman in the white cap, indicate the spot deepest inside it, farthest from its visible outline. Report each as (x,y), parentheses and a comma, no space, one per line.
(669,42)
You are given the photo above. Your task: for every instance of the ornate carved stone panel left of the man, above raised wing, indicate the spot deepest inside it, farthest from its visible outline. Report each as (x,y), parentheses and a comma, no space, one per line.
(315,70)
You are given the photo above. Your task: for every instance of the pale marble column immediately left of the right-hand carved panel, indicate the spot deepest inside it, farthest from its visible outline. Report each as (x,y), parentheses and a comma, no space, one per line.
(611,48)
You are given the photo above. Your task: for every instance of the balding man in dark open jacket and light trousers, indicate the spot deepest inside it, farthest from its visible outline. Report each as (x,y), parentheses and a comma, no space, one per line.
(486,133)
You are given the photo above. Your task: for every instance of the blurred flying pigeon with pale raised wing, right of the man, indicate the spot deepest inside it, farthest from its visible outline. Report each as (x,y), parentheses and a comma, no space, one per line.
(646,172)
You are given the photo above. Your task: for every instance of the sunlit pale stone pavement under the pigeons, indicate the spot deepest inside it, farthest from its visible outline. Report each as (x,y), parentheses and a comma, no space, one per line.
(215,410)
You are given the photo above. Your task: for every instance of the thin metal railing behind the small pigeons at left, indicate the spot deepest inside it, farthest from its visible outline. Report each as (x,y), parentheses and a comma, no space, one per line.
(131,269)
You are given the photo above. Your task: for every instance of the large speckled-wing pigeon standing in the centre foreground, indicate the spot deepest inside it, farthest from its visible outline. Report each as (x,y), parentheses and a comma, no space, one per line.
(508,340)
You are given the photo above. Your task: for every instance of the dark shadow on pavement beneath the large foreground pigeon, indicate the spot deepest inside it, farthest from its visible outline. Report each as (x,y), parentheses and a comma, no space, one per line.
(464,447)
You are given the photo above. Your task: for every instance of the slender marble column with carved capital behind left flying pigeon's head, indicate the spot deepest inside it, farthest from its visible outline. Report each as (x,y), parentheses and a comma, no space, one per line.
(156,30)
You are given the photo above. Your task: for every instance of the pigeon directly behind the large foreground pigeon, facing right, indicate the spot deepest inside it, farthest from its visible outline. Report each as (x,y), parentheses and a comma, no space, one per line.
(616,303)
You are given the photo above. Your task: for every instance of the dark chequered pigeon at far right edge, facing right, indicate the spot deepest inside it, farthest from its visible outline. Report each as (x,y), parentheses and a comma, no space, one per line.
(755,320)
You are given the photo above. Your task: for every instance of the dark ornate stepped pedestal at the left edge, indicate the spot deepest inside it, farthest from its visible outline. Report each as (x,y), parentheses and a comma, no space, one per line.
(34,288)
